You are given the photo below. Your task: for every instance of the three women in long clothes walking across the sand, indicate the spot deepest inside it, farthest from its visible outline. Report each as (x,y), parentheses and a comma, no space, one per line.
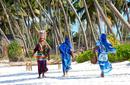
(103,47)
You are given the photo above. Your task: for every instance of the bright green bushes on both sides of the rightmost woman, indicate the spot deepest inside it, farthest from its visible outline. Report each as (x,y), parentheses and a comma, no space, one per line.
(122,54)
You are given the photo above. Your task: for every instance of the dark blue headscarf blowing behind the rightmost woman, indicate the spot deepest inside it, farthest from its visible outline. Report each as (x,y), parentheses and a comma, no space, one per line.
(104,41)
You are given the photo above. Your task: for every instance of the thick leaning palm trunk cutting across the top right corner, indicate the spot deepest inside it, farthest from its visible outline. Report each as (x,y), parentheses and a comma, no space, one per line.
(117,13)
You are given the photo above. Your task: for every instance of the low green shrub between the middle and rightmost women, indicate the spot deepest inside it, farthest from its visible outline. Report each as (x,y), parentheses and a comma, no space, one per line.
(85,56)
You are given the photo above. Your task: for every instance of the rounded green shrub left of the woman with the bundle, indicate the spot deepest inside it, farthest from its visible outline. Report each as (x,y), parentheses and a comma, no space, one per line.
(15,51)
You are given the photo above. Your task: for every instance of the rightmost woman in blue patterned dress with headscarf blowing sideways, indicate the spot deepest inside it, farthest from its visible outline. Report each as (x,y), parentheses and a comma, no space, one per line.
(103,47)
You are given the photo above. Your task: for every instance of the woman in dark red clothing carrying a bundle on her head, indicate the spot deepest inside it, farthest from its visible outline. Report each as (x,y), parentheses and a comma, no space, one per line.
(42,54)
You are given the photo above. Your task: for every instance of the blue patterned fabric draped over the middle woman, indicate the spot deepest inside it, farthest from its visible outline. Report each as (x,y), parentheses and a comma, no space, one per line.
(65,50)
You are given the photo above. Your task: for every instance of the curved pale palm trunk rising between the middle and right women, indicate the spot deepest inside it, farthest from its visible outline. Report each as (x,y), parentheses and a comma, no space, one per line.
(85,38)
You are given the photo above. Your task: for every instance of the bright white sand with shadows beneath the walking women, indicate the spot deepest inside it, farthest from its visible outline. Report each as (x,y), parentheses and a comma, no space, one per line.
(80,74)
